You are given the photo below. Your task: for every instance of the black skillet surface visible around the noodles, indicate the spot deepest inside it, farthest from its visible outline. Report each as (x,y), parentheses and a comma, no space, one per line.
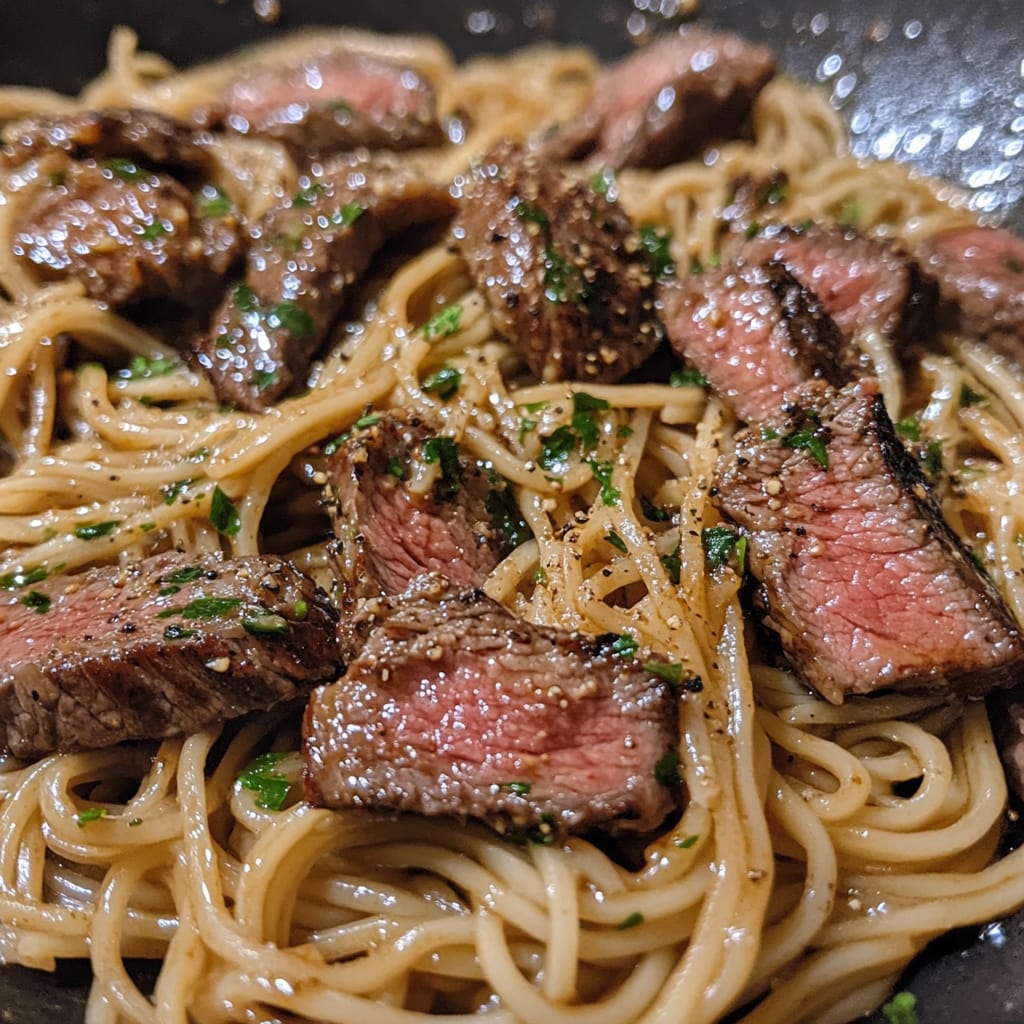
(937,83)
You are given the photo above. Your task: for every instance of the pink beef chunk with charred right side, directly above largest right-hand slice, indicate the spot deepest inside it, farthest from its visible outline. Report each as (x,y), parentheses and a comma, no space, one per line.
(755,333)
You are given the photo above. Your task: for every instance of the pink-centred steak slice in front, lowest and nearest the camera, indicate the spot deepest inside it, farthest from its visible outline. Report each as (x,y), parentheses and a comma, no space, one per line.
(455,707)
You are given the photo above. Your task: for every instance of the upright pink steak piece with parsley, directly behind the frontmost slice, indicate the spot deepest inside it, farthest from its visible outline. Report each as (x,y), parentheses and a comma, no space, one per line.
(388,534)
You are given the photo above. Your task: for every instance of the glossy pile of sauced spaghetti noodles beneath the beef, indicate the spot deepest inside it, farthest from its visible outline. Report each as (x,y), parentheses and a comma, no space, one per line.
(808,867)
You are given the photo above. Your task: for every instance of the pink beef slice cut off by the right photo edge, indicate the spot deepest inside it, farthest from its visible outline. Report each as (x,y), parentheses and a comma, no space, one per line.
(982,282)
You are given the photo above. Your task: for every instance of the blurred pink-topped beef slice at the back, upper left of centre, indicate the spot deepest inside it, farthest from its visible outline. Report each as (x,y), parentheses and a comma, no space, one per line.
(340,101)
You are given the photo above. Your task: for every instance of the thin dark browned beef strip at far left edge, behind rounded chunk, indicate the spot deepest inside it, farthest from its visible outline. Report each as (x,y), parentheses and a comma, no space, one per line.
(126,133)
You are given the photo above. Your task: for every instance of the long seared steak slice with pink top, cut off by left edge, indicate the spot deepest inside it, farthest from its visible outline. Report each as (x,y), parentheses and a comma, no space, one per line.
(167,648)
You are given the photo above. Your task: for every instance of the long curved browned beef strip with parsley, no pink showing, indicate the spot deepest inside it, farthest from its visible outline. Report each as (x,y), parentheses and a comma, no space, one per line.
(306,255)
